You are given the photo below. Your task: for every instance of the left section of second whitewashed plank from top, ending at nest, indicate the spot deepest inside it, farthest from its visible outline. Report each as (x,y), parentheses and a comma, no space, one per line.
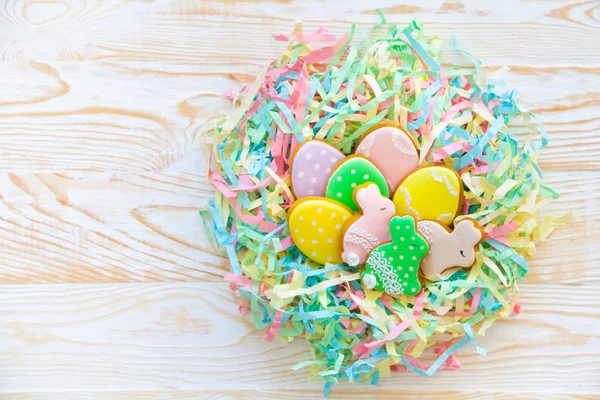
(101,117)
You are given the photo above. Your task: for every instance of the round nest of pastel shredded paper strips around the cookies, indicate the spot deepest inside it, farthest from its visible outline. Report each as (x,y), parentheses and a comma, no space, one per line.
(325,87)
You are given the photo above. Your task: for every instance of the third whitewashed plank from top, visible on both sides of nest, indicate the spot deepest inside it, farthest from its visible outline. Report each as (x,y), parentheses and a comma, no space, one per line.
(106,227)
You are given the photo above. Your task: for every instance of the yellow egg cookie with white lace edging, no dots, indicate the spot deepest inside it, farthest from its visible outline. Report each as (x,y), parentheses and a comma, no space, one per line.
(430,193)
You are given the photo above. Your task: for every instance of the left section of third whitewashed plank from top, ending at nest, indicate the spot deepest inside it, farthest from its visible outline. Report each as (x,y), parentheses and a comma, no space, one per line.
(105,228)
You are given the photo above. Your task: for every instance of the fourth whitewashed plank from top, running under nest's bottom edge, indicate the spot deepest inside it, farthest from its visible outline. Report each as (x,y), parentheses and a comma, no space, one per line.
(190,336)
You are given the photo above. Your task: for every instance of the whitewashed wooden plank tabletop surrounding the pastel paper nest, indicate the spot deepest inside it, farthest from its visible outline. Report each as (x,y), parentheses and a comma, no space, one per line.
(110,289)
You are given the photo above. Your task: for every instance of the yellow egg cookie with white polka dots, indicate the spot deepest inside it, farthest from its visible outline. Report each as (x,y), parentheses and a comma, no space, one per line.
(316,227)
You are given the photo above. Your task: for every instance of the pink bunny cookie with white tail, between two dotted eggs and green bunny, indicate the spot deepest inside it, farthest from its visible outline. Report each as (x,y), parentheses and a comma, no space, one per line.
(370,228)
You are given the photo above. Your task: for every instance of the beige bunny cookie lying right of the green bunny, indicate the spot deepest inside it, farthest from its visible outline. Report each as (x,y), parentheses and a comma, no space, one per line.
(448,250)
